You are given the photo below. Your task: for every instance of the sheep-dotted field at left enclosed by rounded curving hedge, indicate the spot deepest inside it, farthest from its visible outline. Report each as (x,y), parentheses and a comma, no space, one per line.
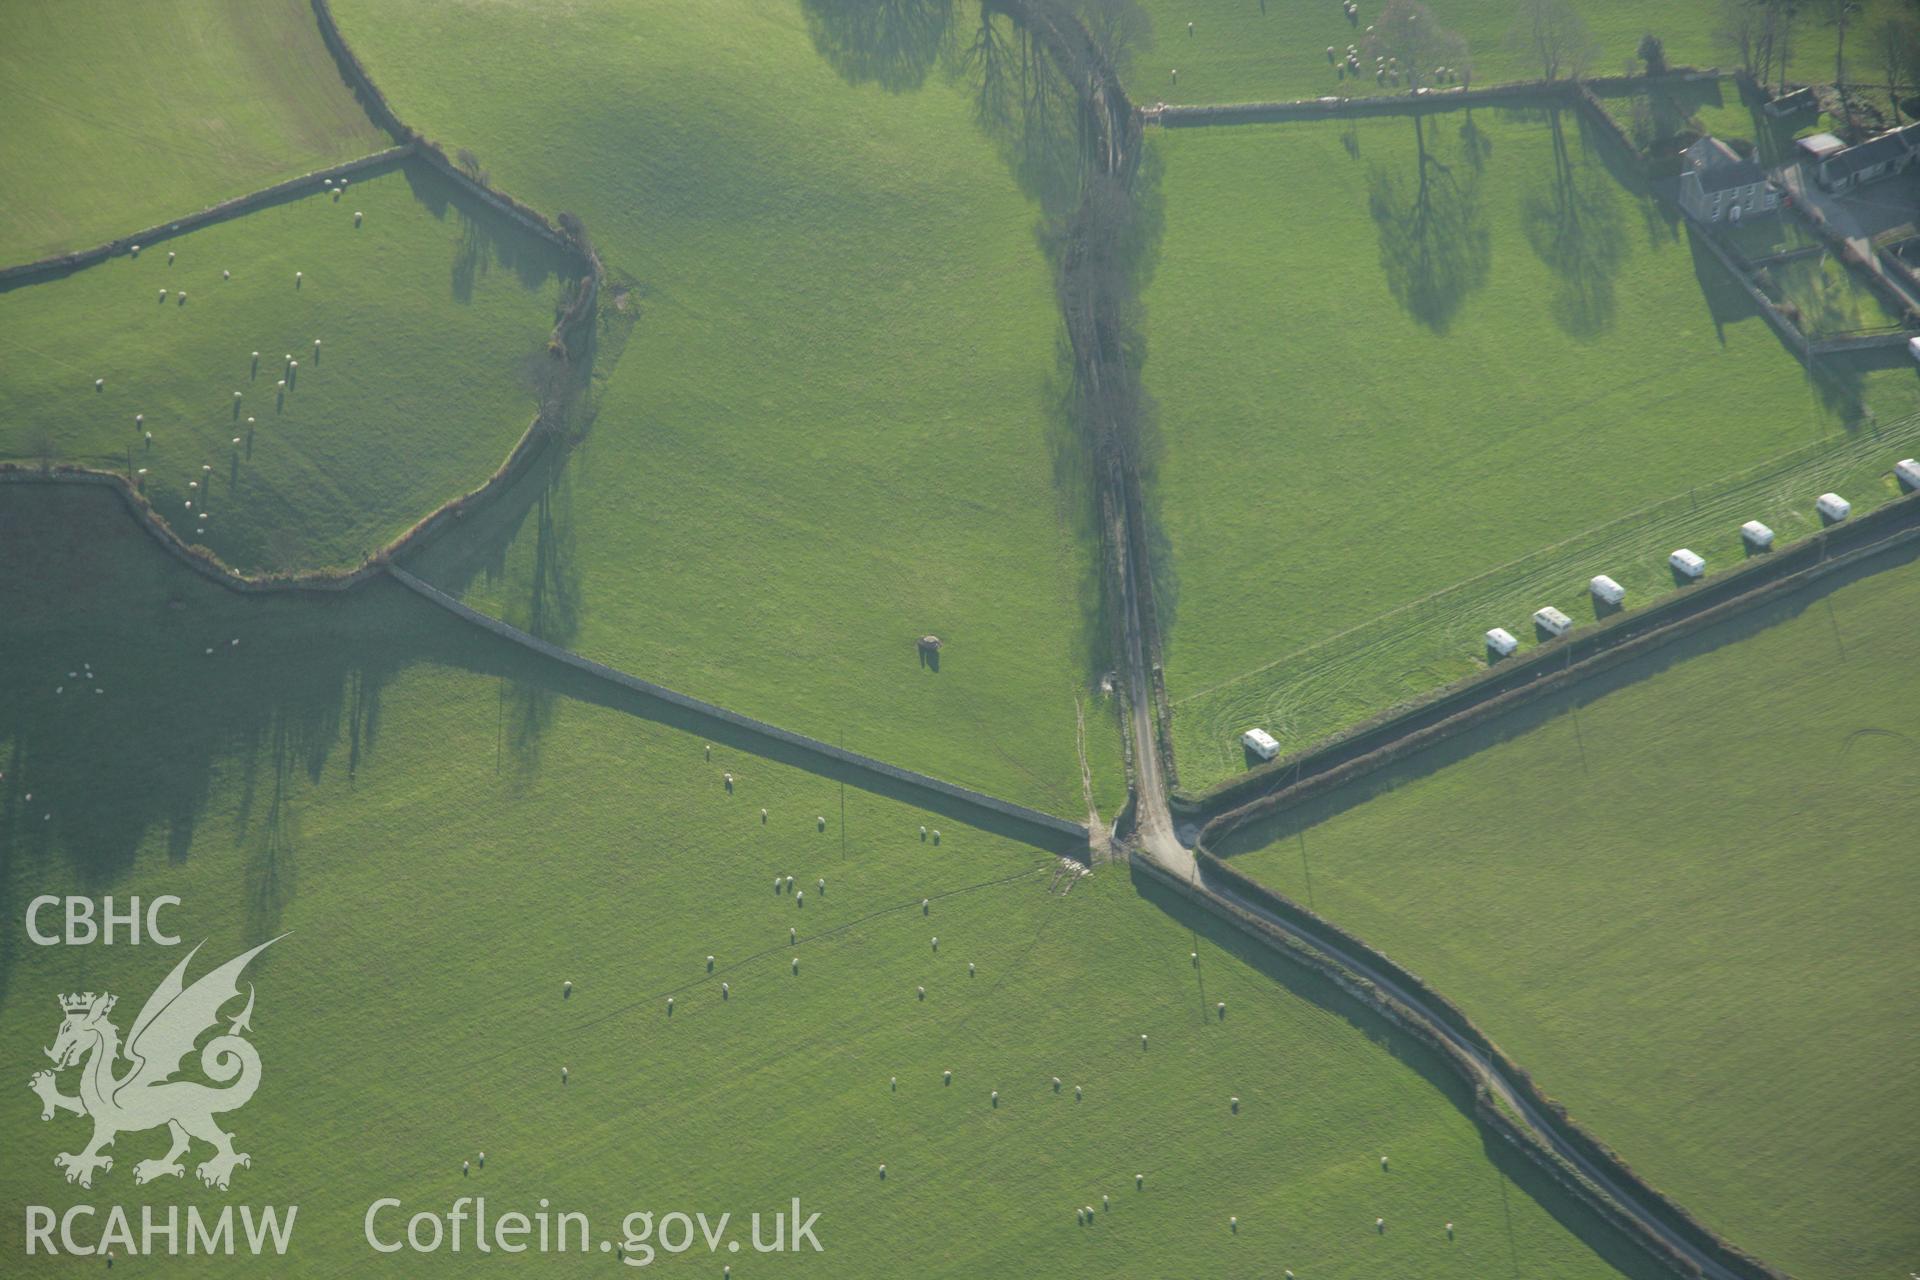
(431,316)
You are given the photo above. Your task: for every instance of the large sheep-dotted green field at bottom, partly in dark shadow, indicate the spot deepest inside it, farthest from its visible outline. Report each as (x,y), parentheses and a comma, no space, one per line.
(446,840)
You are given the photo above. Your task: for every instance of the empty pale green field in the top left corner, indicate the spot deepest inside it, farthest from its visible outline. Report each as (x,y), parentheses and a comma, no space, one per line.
(122,116)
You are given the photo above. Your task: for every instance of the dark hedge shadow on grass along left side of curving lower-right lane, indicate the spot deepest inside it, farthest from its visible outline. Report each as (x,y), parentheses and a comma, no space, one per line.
(1295,982)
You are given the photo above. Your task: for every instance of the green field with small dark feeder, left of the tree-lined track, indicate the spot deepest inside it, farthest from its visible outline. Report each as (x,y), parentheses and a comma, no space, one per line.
(834,423)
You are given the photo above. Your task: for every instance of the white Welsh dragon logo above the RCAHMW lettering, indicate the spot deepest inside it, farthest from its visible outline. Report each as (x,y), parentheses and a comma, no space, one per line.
(147,1095)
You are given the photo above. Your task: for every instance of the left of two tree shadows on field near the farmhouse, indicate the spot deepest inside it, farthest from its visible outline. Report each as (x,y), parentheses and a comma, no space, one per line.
(1435,247)
